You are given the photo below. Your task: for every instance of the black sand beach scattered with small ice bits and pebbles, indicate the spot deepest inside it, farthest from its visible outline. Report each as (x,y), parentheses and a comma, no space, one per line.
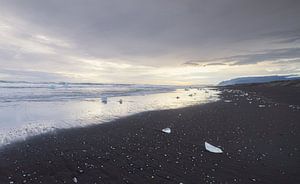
(257,126)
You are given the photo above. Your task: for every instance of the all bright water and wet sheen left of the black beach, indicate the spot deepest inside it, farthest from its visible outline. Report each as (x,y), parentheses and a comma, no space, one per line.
(28,109)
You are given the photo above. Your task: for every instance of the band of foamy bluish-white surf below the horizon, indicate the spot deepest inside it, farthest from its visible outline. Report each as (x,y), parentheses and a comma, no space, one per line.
(58,91)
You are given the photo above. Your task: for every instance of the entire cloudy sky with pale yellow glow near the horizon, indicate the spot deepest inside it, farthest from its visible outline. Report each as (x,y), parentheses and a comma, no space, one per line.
(148,42)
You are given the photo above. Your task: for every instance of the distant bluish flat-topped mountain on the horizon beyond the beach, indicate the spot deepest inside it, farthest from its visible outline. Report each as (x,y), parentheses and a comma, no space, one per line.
(261,79)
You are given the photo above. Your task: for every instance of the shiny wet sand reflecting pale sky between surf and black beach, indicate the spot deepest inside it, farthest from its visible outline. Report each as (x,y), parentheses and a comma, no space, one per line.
(22,119)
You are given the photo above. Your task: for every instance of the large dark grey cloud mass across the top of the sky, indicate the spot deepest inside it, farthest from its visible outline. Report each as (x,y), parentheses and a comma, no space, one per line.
(135,28)
